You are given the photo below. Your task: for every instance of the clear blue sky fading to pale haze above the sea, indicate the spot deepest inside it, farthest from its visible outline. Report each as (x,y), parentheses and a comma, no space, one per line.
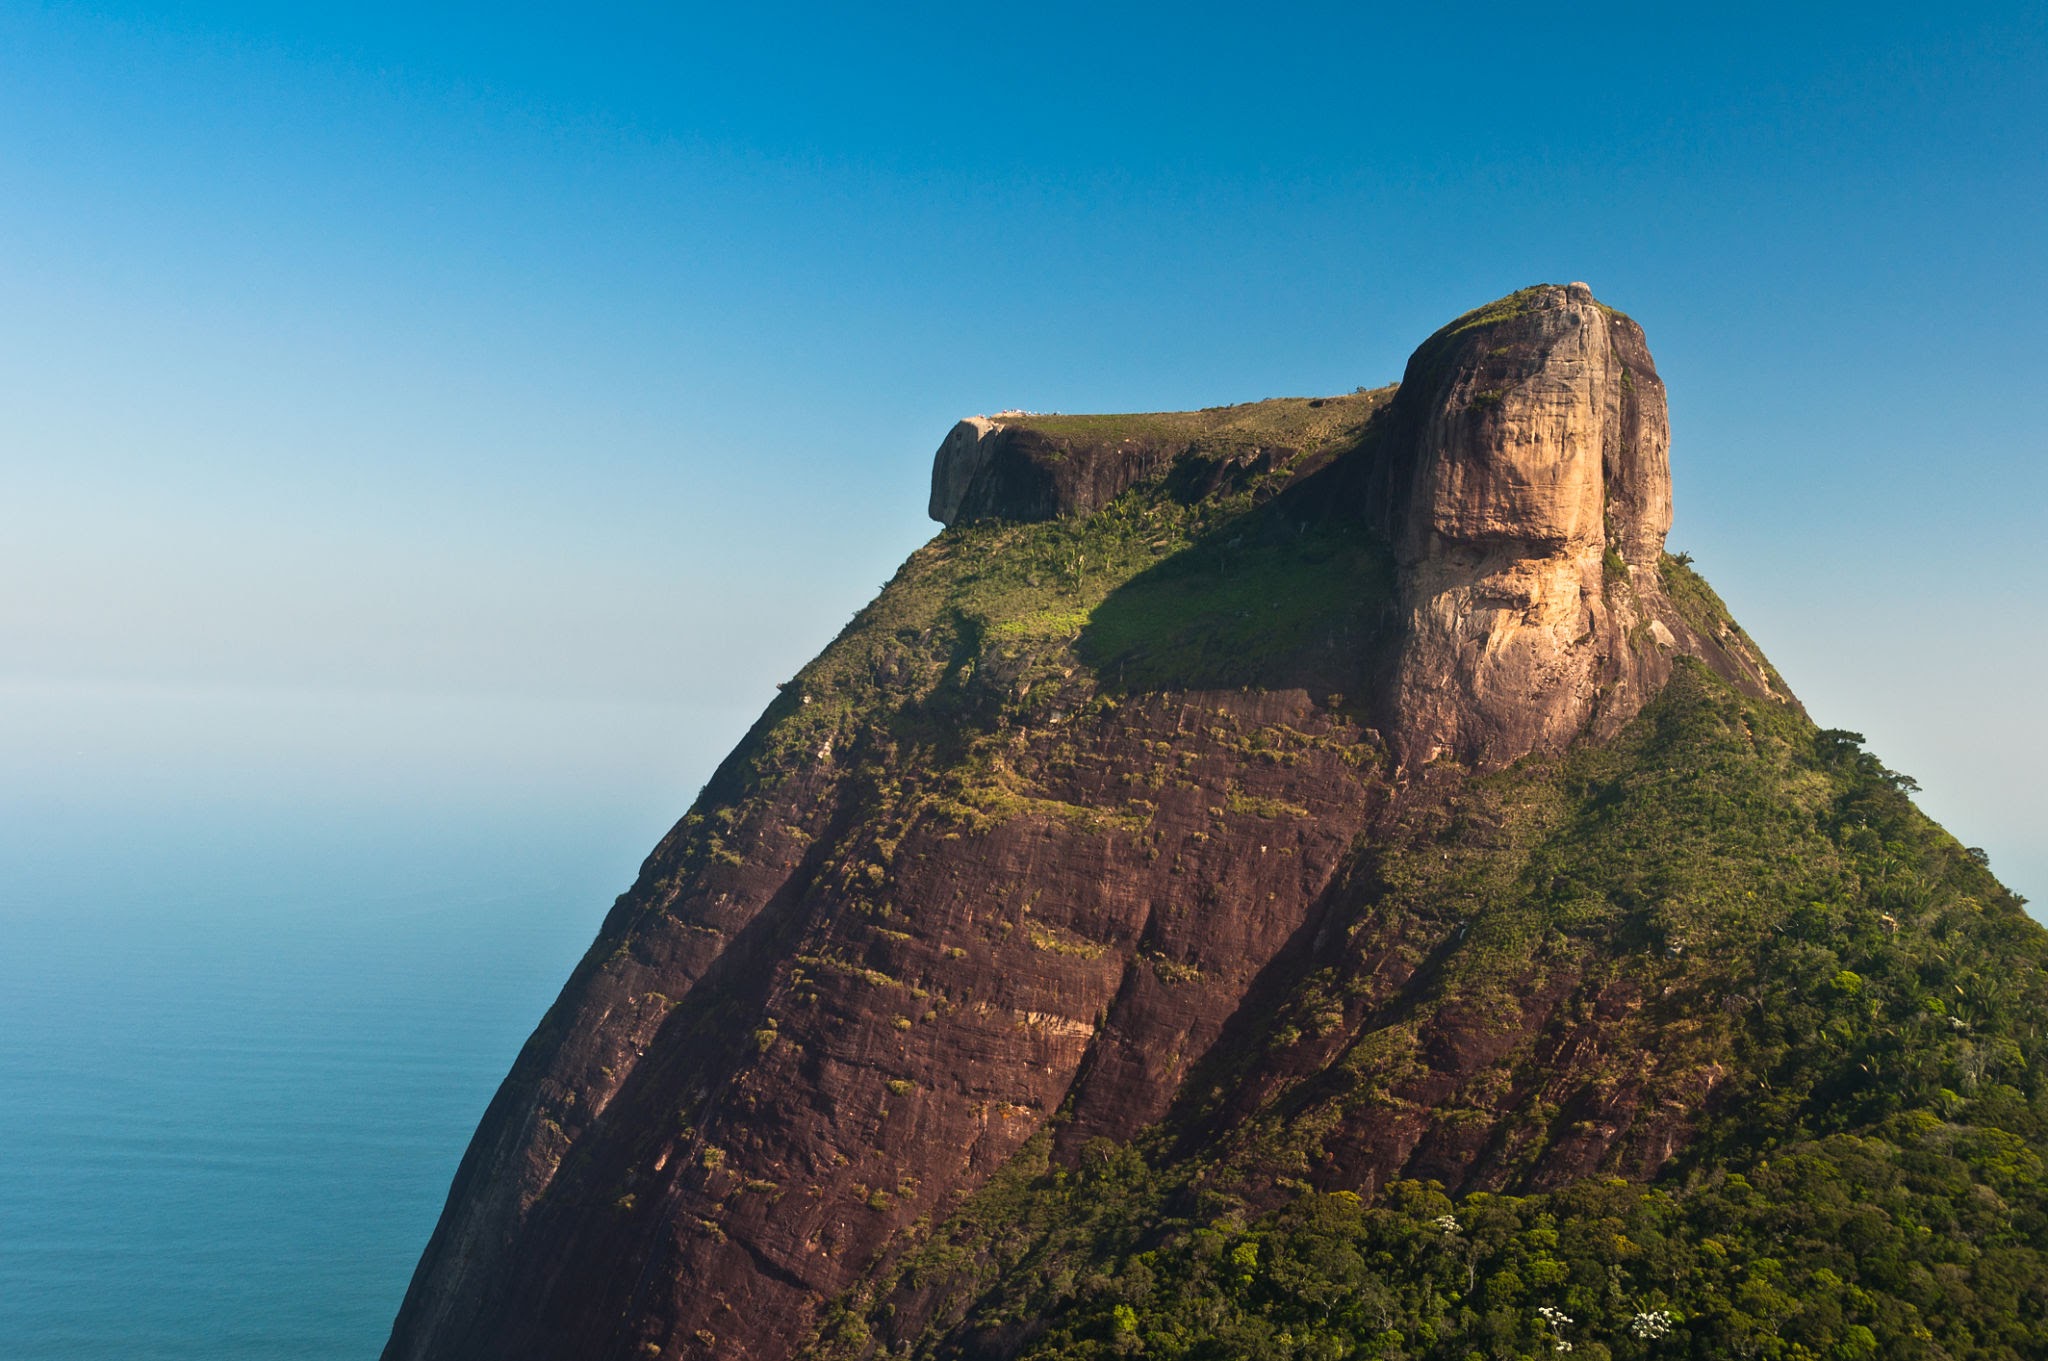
(480,408)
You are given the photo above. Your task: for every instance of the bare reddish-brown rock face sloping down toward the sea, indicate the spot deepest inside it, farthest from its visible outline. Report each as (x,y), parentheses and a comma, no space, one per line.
(755,1086)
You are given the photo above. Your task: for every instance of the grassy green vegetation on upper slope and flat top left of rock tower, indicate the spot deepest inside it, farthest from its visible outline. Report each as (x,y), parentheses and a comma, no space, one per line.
(1002,627)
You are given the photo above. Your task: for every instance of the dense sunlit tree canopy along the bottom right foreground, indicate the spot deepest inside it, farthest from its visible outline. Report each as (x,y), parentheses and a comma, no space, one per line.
(1850,1247)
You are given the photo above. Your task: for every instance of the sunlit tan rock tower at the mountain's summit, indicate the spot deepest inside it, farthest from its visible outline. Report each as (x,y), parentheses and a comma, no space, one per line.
(1527,496)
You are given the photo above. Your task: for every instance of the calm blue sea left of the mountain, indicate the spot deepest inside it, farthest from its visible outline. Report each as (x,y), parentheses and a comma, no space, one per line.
(241,1061)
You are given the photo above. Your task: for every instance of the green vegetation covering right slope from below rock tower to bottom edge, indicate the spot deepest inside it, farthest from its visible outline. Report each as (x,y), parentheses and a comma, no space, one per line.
(1869,1182)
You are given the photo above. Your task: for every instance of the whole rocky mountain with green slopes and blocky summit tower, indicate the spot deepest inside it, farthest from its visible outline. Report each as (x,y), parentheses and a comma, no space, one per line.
(1304,879)
